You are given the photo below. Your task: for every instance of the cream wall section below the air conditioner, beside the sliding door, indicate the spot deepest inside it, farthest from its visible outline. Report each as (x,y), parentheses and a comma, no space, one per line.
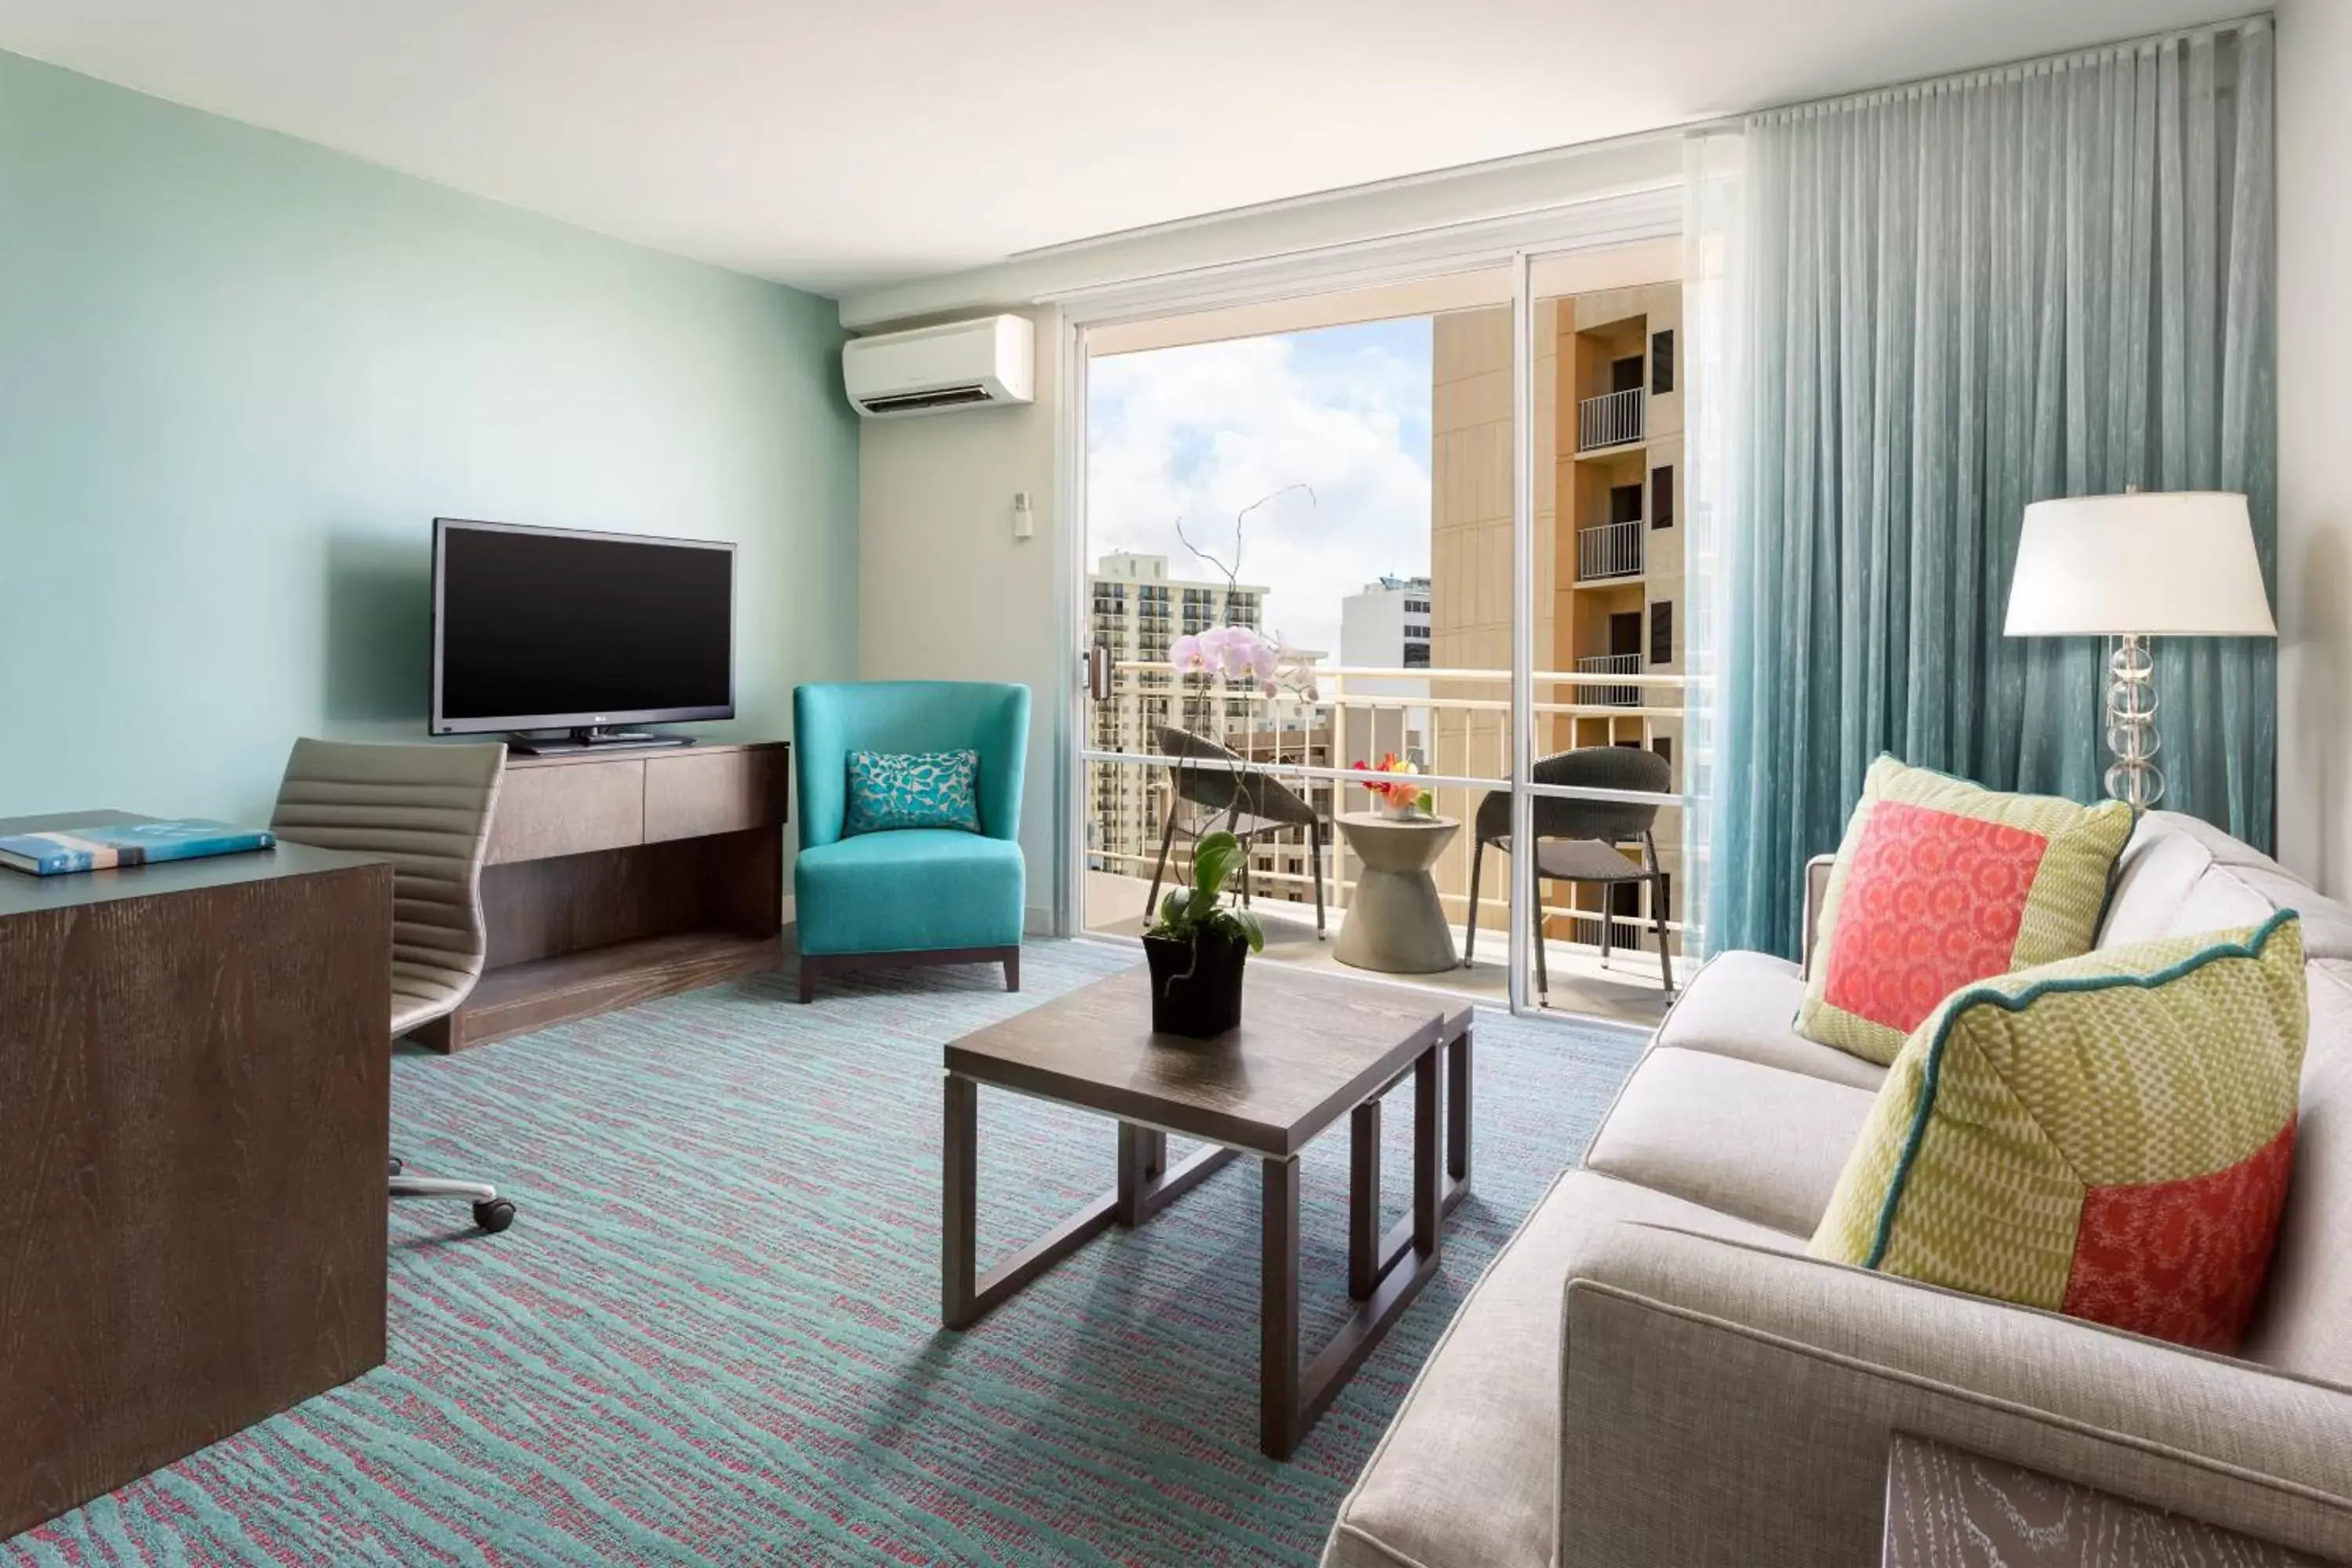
(944,587)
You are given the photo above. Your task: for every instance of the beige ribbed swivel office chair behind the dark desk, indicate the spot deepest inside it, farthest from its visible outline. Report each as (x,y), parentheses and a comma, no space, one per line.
(425,810)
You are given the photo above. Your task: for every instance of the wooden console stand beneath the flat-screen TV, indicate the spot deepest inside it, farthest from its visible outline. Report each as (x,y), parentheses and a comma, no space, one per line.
(615,876)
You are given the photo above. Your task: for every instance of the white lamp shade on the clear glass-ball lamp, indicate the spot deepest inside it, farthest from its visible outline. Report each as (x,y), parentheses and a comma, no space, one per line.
(2153,565)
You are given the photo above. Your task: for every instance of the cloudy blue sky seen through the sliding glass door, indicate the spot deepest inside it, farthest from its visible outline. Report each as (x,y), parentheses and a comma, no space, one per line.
(1203,431)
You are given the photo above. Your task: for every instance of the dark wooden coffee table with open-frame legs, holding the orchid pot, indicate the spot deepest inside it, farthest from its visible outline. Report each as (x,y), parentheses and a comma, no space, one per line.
(1311,1050)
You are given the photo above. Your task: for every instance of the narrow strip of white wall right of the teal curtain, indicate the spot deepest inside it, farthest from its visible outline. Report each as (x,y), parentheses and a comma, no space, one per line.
(2316,455)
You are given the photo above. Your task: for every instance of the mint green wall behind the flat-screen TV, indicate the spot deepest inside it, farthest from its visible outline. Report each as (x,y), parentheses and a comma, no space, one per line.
(239,380)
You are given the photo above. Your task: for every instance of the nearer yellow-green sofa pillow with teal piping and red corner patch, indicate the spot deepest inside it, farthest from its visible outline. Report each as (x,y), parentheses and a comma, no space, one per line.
(2109,1137)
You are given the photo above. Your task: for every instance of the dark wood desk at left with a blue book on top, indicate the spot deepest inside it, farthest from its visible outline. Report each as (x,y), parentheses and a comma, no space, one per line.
(194,1120)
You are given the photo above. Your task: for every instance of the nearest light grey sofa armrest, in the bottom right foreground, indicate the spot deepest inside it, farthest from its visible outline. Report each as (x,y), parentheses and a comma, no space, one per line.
(1730,1405)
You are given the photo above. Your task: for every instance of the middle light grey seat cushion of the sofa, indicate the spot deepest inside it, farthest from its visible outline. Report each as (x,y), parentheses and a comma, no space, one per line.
(1751,1141)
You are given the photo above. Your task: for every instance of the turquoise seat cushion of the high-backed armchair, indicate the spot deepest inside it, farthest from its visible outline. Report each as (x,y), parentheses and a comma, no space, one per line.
(916,890)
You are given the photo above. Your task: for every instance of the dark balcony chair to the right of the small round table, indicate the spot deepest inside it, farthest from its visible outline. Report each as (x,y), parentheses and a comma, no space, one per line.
(1577,840)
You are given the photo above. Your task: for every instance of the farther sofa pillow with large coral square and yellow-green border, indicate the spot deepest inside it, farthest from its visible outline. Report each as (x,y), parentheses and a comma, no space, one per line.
(1944,883)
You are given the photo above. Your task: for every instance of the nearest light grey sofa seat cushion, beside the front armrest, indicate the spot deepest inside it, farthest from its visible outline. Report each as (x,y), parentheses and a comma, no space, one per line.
(1466,1475)
